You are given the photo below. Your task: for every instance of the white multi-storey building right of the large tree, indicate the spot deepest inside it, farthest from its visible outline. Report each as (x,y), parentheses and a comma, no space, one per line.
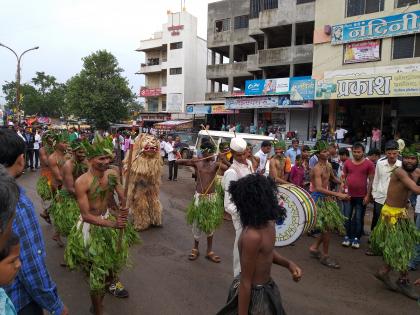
(174,68)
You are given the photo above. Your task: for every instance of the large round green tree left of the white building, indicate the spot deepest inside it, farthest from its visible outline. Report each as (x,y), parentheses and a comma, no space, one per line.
(99,93)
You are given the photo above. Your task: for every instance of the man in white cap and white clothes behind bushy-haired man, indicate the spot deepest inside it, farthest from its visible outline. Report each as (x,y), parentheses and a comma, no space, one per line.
(240,168)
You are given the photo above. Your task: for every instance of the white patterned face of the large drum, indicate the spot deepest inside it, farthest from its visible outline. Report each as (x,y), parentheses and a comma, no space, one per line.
(292,227)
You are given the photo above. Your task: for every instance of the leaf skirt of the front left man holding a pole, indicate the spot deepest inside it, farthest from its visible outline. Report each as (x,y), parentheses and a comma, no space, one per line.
(99,257)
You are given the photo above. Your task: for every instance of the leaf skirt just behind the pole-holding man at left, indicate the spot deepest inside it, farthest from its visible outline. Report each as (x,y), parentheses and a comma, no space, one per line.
(64,212)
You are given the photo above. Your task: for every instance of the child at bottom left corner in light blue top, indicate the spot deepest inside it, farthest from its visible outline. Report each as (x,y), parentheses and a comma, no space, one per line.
(9,267)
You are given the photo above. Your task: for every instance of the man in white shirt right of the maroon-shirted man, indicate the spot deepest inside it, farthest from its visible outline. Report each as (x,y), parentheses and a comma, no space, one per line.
(383,171)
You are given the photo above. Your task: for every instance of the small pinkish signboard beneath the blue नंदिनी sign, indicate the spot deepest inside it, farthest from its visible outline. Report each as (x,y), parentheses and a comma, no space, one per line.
(362,51)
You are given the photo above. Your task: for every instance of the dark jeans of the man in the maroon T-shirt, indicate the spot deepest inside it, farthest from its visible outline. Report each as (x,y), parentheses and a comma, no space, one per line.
(353,210)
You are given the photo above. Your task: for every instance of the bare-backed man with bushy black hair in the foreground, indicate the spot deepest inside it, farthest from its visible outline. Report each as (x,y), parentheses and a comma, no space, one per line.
(254,291)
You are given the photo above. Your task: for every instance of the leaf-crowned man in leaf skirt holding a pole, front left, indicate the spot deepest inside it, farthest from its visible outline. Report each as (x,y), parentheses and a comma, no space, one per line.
(96,243)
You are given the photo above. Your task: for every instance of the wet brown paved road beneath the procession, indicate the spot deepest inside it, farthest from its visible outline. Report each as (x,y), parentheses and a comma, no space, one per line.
(162,281)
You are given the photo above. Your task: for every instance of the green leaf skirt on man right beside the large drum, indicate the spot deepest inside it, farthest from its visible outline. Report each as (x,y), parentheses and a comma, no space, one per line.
(328,215)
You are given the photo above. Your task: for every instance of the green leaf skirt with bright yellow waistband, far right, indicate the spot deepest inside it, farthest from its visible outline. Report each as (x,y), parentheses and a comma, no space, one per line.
(395,237)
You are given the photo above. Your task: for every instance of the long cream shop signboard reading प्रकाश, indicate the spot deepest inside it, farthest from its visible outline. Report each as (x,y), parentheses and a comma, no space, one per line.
(380,85)
